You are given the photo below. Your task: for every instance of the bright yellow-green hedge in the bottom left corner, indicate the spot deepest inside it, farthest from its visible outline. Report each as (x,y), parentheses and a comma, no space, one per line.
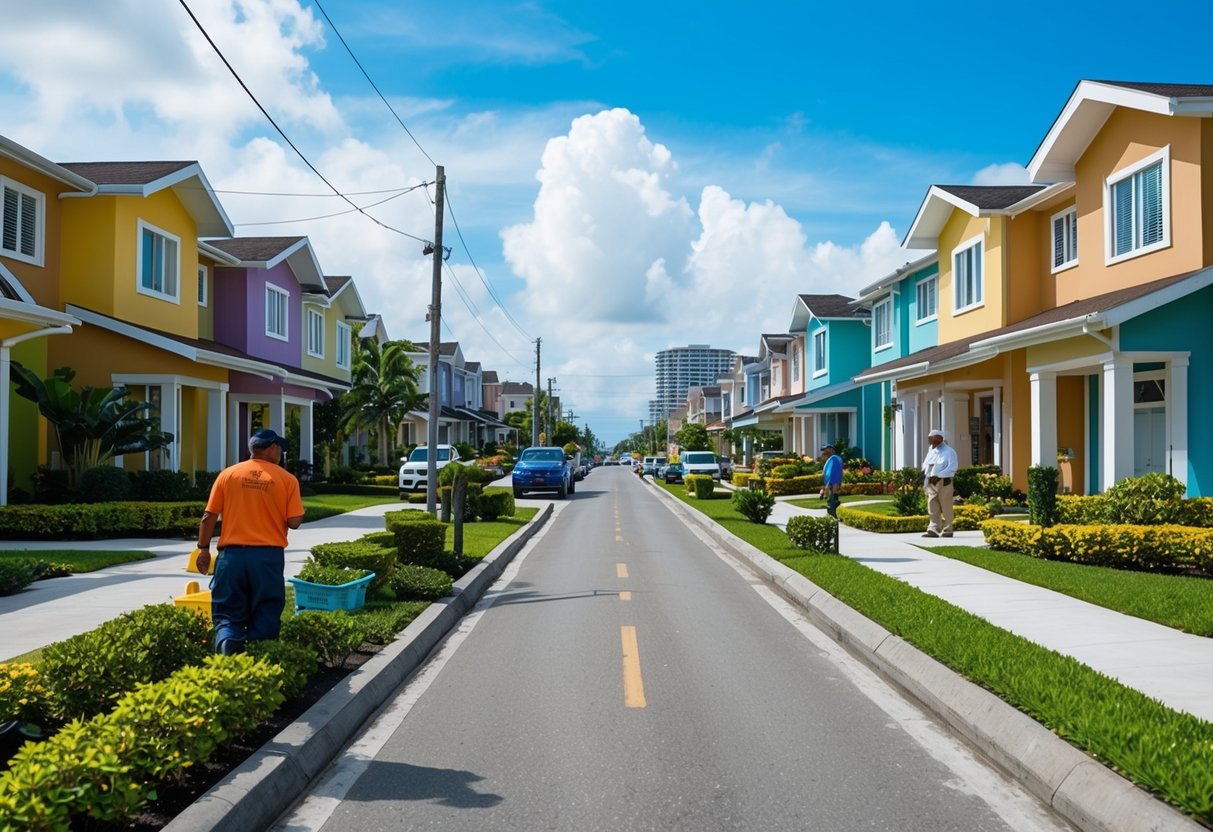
(106,770)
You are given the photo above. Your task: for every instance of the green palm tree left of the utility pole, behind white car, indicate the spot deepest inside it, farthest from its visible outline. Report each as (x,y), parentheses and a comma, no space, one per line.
(385,390)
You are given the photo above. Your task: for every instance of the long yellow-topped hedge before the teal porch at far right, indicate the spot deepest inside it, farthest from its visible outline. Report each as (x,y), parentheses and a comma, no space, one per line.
(1148,549)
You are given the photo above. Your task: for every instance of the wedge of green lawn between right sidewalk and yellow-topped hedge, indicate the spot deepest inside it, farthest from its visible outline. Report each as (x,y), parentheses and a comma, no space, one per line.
(1175,601)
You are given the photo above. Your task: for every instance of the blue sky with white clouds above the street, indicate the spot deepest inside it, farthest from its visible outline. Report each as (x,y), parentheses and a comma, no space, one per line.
(628,176)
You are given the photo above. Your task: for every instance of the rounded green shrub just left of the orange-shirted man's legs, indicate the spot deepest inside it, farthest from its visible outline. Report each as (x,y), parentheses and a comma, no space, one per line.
(88,673)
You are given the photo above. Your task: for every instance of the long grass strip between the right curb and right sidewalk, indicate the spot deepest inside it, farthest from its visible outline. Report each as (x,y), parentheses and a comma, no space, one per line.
(1166,753)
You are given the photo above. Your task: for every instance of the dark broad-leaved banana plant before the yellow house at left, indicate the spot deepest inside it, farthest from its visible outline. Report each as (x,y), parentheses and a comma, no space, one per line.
(93,425)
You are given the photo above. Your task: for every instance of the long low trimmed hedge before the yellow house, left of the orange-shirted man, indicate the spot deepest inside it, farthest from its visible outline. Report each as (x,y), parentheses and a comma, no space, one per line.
(100,520)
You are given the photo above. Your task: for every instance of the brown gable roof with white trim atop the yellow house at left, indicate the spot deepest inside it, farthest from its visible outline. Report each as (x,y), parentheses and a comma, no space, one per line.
(144,179)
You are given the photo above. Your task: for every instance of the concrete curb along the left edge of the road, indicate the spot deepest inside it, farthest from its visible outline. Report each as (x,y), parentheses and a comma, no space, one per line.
(266,785)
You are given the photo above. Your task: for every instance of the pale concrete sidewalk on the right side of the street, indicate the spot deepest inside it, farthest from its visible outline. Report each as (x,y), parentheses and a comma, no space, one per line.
(1164,664)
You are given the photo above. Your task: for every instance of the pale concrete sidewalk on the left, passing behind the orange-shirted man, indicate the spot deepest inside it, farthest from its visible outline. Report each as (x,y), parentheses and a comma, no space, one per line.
(49,612)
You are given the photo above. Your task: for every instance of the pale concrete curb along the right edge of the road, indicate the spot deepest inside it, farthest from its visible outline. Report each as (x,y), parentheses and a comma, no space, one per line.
(1077,787)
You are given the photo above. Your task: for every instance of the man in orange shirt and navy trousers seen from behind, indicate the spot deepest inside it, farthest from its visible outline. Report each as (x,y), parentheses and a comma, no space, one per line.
(259,502)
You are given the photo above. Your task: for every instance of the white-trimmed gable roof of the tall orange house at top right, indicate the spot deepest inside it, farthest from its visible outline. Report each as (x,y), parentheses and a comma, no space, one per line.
(1092,104)
